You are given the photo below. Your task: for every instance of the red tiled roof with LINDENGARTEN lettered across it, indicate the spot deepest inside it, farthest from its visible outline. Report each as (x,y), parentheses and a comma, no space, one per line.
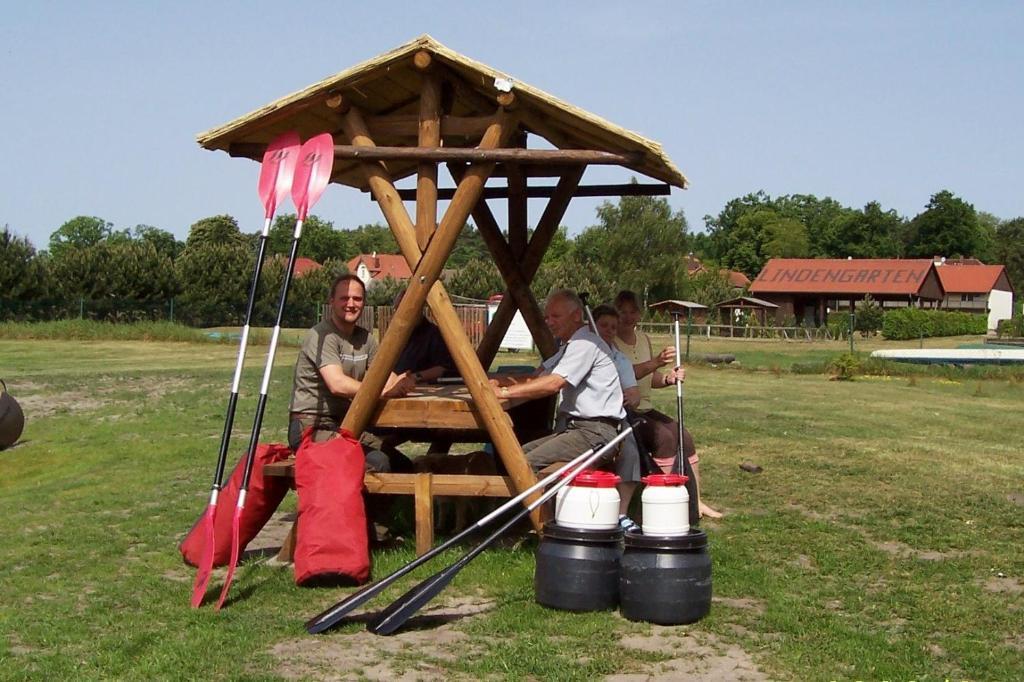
(837,276)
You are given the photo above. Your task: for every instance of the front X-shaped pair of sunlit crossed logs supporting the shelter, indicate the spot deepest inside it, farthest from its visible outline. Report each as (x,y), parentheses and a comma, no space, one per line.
(424,286)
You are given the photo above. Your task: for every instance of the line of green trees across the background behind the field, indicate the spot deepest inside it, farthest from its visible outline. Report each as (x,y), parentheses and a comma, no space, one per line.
(636,243)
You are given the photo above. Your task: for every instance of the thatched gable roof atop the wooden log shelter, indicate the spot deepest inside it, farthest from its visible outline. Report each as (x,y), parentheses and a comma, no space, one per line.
(390,84)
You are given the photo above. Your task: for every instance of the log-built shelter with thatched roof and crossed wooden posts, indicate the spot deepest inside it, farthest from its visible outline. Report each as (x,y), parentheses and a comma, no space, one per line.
(402,115)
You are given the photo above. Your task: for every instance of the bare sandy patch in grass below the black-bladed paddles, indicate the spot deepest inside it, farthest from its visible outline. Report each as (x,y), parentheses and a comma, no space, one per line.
(415,654)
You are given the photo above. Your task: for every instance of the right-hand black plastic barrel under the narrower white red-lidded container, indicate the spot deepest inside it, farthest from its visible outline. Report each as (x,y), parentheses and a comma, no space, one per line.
(666,580)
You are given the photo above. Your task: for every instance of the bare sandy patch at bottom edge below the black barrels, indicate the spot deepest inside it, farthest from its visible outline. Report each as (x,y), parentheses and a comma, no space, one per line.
(695,657)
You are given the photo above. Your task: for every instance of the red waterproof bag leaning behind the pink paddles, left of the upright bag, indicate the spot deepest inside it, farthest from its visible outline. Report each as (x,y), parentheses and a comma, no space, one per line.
(263,500)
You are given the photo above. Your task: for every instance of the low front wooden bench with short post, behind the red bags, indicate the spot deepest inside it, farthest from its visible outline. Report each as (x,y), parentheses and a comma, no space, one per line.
(423,487)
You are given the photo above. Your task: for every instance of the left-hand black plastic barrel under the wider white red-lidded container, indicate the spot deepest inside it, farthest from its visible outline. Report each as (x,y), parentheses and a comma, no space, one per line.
(578,570)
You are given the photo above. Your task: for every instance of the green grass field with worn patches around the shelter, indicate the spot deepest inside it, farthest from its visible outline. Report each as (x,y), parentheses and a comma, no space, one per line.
(884,539)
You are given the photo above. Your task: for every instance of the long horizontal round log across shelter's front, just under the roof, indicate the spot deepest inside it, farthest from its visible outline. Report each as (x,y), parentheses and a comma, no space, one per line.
(479,155)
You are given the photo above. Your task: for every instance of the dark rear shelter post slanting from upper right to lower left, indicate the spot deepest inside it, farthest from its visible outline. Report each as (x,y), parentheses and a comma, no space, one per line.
(530,264)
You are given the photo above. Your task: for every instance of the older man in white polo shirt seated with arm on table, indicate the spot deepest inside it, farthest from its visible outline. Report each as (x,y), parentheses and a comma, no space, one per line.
(583,372)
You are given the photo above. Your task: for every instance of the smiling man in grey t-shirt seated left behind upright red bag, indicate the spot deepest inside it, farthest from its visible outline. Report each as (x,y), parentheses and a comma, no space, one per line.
(331,366)
